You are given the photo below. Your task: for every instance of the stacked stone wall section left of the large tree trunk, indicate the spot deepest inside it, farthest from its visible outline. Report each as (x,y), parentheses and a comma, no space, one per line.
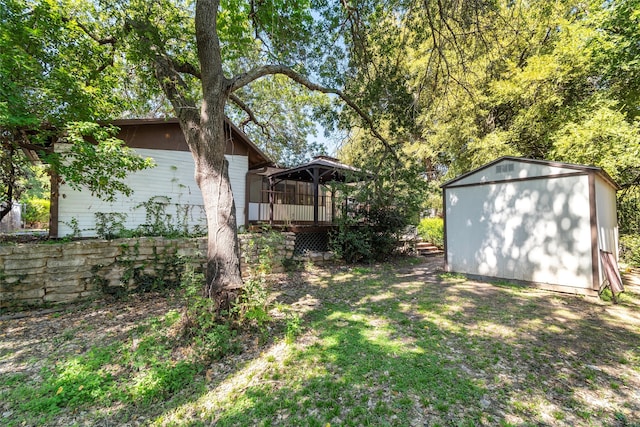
(36,274)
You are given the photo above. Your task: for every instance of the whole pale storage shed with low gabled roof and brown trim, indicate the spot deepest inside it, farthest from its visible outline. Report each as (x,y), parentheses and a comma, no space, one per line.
(532,221)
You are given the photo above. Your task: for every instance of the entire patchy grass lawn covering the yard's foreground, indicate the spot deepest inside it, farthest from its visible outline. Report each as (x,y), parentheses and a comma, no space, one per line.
(392,344)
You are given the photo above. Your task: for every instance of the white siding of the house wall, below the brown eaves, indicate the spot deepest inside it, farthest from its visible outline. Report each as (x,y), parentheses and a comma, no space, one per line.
(173,178)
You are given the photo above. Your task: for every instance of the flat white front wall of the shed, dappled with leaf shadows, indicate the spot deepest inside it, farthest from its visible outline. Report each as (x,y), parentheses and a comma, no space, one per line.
(533,230)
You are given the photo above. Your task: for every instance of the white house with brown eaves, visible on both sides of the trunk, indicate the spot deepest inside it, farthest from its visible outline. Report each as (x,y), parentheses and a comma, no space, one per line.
(170,184)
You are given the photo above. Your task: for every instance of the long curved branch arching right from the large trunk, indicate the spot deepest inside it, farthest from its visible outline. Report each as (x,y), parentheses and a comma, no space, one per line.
(252,75)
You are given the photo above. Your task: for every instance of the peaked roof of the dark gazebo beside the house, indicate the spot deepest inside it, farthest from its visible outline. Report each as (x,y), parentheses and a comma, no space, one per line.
(327,168)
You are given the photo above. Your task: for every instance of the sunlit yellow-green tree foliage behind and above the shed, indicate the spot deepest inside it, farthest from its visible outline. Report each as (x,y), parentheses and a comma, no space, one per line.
(462,83)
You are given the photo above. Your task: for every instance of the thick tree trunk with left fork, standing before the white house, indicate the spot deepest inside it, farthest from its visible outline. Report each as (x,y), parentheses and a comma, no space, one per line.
(204,131)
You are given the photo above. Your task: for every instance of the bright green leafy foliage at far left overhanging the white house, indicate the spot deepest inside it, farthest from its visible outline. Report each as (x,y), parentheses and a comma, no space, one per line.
(56,76)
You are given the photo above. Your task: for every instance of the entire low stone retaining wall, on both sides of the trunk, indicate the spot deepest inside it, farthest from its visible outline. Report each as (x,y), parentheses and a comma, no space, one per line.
(52,273)
